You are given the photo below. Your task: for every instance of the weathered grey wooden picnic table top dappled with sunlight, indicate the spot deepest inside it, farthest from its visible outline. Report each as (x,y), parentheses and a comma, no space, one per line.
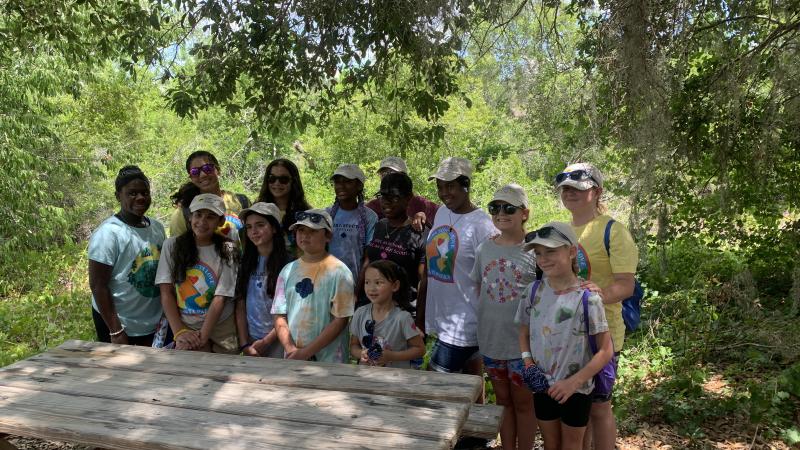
(119,396)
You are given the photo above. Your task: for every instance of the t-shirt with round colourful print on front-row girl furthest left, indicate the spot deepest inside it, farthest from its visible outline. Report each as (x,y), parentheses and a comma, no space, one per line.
(211,276)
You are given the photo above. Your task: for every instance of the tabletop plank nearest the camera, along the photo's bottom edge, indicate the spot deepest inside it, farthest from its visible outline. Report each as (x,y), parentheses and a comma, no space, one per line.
(128,425)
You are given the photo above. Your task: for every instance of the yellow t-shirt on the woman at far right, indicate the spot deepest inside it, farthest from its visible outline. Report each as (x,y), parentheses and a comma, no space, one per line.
(594,264)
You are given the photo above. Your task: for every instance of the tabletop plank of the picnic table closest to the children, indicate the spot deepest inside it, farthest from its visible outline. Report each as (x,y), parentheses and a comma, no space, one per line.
(321,376)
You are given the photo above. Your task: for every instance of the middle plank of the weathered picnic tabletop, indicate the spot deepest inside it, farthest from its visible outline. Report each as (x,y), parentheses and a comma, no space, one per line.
(369,413)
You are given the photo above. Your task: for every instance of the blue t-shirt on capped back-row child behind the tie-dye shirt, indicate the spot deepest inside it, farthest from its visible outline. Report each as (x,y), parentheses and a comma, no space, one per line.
(347,243)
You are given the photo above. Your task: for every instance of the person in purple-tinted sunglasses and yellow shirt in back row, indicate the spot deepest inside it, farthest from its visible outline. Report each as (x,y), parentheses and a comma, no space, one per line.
(203,170)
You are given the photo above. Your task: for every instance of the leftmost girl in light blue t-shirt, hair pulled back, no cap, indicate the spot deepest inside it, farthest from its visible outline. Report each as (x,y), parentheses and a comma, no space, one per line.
(123,256)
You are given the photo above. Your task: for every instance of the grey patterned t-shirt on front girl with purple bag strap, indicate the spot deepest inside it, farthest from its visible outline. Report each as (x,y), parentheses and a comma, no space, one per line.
(558,330)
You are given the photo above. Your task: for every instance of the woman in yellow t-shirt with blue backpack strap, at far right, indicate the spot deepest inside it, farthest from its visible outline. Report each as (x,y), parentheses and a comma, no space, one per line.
(609,271)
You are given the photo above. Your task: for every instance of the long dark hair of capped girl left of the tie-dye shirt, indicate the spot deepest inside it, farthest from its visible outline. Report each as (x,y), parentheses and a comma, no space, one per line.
(277,259)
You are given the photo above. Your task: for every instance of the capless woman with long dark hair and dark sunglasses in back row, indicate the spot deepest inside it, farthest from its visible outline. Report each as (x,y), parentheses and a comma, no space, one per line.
(282,186)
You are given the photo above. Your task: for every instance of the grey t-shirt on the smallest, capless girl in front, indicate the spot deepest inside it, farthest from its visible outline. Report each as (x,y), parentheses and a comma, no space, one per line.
(393,332)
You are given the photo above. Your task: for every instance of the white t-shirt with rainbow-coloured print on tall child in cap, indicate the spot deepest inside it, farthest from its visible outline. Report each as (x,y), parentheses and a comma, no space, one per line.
(451,306)
